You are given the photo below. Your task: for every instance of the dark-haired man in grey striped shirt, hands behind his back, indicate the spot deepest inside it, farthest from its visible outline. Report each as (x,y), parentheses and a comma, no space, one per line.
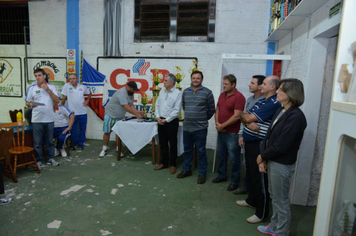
(199,106)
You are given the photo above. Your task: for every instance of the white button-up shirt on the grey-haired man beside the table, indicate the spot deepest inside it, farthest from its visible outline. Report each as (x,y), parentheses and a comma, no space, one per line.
(168,104)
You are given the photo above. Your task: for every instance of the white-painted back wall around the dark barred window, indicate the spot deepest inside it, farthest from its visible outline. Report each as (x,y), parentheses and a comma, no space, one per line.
(241,27)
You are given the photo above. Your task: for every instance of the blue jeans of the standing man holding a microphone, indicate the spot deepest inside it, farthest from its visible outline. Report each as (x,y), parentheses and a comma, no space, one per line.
(43,132)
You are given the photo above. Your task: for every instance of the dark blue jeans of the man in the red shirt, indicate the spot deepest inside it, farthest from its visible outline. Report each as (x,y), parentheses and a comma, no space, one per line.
(228,146)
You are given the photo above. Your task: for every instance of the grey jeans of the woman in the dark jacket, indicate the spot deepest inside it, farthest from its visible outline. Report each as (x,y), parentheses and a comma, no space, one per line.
(279,177)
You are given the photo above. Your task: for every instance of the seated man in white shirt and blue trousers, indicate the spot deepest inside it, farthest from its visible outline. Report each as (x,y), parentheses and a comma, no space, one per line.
(63,122)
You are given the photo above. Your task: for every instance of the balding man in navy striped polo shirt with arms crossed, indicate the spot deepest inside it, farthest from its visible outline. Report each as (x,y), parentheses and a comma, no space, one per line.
(256,121)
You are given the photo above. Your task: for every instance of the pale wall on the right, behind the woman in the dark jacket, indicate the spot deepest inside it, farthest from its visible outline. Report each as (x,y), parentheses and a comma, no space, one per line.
(307,44)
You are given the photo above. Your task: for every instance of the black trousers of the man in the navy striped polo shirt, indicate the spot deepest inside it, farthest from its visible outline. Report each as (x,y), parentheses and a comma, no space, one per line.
(257,182)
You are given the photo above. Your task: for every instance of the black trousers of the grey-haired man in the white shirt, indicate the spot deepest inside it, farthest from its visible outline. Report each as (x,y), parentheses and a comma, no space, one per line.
(167,133)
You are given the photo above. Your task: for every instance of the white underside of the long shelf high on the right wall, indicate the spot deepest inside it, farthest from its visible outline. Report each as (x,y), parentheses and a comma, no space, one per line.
(297,16)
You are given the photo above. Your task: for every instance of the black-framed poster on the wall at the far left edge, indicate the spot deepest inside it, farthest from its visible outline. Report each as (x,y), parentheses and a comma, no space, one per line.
(10,77)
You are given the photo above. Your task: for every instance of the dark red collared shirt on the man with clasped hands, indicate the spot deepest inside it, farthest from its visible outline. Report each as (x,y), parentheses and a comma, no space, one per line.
(227,107)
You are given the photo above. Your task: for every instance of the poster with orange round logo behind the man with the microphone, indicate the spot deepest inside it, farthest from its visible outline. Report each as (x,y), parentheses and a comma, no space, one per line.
(55,68)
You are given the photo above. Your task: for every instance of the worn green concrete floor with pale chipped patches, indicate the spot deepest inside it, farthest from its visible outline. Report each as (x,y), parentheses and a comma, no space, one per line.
(87,195)
